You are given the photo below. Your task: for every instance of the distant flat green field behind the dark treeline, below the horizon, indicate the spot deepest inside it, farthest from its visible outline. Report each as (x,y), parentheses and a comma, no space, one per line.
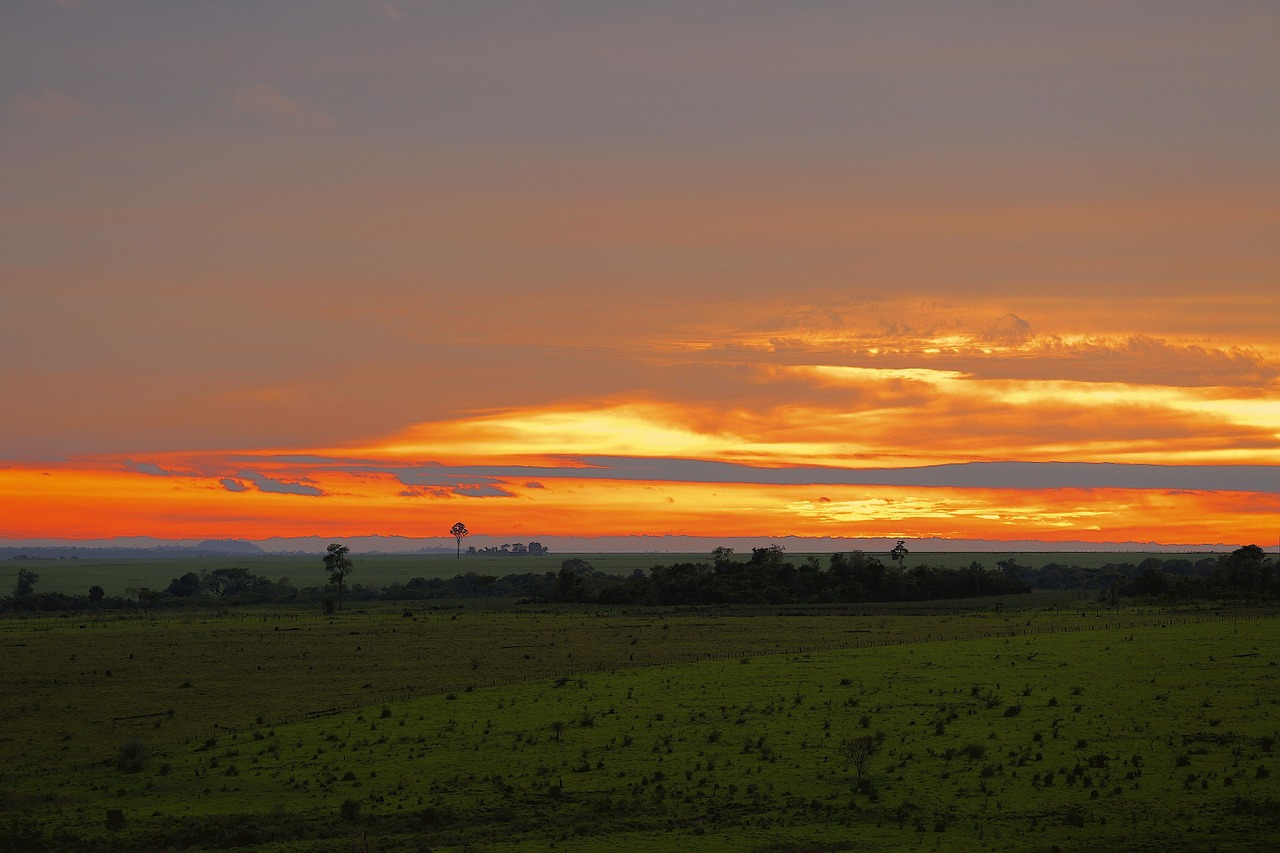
(117,576)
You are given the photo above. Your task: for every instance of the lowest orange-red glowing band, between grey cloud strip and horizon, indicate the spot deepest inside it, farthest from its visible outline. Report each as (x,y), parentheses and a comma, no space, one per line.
(88,504)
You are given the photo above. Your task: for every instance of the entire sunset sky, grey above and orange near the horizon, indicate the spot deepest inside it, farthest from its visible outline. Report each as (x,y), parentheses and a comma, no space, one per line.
(925,271)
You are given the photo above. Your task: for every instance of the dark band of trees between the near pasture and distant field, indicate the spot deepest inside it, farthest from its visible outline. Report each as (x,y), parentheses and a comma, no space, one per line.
(765,578)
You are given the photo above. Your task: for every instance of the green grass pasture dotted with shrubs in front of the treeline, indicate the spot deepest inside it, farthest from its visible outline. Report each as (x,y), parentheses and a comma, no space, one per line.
(1048,728)
